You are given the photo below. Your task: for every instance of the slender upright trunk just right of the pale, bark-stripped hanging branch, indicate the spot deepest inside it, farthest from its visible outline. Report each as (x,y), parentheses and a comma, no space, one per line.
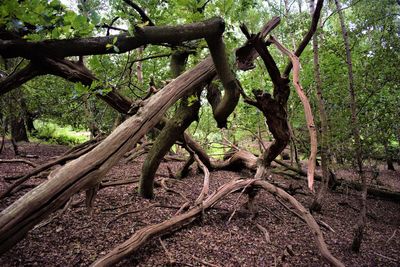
(317,203)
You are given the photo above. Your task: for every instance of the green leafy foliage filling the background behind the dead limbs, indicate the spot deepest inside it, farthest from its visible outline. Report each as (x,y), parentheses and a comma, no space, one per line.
(373,33)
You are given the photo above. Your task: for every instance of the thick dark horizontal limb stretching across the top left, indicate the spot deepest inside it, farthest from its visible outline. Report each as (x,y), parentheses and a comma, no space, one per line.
(100,45)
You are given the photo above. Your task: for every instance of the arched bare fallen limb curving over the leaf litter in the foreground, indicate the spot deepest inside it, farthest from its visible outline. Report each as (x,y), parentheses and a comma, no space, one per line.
(177,222)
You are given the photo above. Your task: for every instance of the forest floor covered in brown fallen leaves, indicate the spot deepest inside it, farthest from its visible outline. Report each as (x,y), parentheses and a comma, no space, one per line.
(77,239)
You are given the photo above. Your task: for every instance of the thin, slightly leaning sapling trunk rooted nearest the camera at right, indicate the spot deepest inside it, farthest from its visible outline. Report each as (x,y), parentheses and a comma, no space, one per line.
(359,229)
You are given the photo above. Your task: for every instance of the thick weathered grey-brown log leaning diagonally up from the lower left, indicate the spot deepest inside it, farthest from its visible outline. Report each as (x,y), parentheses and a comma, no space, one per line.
(88,170)
